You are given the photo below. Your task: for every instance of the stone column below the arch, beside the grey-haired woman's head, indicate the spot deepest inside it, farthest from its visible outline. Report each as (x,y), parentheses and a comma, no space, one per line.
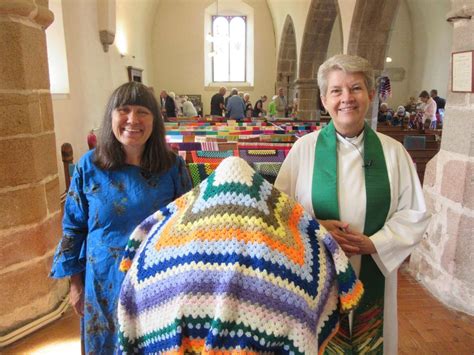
(308,93)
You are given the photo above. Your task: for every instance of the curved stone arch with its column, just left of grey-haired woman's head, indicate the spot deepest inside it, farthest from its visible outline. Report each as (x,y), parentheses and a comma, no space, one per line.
(317,33)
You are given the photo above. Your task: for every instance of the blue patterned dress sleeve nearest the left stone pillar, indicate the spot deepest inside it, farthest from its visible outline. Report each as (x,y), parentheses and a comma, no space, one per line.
(69,258)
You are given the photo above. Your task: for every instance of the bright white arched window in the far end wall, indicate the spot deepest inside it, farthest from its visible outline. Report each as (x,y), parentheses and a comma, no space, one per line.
(229,34)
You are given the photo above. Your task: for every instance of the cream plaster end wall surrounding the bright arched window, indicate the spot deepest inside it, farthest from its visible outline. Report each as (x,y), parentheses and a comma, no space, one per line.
(178,51)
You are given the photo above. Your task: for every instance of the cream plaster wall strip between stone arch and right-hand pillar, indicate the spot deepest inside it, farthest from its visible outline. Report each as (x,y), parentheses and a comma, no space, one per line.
(432,42)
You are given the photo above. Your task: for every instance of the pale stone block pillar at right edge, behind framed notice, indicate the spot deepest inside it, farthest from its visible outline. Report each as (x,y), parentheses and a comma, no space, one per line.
(444,260)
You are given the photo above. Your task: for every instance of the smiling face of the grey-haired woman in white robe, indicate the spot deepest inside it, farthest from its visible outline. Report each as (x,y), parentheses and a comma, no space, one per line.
(347,100)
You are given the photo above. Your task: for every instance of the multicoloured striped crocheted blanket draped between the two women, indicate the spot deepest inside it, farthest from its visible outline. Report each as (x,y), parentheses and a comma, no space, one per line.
(233,267)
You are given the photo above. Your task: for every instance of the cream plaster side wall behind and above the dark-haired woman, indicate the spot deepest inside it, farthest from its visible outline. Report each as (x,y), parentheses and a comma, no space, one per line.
(94,74)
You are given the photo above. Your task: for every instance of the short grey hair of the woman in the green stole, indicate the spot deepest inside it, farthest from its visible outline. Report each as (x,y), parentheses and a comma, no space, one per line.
(348,64)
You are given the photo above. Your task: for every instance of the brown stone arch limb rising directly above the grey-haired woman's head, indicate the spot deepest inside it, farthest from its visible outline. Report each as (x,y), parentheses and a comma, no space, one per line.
(369,37)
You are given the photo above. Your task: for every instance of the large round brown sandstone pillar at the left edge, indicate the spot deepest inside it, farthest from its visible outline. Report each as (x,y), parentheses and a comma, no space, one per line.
(29,184)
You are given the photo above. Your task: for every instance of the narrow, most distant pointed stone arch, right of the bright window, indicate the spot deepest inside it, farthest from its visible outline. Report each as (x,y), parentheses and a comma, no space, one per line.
(287,59)
